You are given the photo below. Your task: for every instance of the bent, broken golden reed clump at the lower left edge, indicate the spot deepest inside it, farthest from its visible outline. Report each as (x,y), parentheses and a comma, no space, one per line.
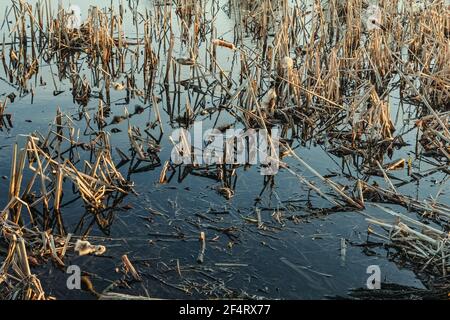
(48,163)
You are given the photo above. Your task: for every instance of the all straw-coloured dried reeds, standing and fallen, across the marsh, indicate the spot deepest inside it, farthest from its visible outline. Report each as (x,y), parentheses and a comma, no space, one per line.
(317,72)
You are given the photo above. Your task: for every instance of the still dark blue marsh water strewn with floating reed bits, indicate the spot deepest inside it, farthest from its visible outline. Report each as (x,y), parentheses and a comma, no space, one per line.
(298,254)
